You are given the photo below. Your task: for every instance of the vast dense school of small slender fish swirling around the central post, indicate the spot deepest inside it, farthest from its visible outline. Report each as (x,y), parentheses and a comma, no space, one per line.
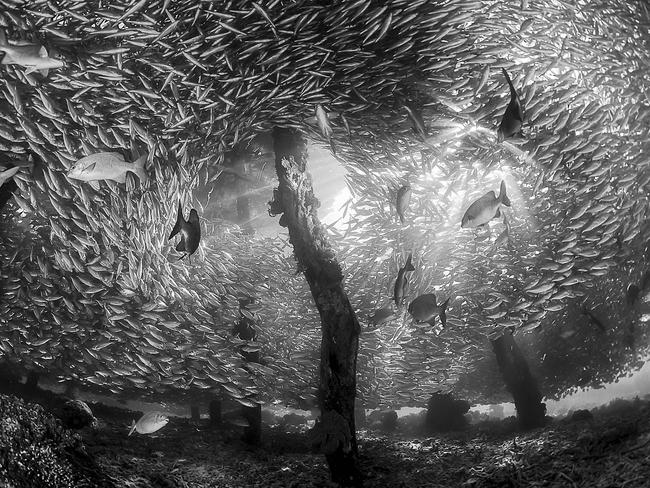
(452,97)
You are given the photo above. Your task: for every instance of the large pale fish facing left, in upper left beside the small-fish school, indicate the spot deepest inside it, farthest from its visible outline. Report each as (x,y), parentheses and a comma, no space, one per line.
(107,166)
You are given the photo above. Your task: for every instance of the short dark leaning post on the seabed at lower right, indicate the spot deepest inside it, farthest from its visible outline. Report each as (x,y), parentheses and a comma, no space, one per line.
(520,382)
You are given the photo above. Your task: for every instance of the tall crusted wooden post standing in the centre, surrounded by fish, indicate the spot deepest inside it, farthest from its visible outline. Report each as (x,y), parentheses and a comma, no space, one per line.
(294,199)
